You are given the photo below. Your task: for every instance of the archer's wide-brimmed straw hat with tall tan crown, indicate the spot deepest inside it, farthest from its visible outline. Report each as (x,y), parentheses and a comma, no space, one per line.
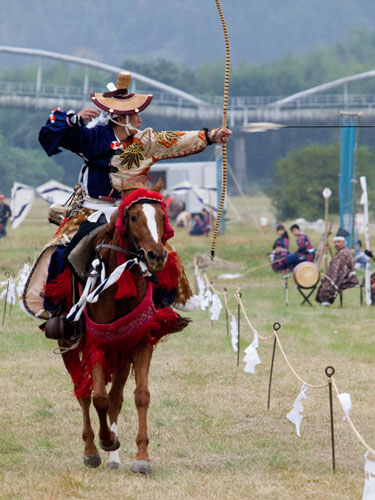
(119,101)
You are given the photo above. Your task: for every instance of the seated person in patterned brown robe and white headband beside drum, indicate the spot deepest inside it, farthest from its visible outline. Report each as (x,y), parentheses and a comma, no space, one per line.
(340,274)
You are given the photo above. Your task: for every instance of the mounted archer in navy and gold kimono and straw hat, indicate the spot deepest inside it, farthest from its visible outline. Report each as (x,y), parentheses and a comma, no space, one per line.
(114,150)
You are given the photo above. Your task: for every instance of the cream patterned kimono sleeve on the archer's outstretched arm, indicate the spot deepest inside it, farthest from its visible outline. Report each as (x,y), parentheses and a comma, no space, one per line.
(172,144)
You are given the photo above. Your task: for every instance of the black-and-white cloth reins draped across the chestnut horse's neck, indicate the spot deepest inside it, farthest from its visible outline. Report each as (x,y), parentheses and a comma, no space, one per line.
(91,296)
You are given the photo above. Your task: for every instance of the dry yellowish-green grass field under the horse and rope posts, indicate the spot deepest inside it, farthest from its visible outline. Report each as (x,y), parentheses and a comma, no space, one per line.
(211,435)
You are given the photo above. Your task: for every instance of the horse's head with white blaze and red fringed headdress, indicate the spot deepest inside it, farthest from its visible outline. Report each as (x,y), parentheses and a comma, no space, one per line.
(145,222)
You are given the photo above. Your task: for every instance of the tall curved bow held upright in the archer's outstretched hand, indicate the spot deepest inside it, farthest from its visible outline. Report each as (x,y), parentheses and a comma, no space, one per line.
(224,125)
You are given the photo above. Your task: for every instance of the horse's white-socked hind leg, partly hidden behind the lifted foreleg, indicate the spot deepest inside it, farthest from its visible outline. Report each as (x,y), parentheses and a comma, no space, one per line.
(115,403)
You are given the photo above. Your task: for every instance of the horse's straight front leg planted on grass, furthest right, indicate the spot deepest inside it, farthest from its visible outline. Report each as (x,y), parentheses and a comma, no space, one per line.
(141,360)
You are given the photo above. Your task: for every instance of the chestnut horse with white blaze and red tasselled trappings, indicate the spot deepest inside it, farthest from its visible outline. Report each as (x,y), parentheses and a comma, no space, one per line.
(144,236)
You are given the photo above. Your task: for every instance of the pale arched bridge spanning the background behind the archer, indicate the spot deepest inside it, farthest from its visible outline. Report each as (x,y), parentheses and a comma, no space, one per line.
(309,105)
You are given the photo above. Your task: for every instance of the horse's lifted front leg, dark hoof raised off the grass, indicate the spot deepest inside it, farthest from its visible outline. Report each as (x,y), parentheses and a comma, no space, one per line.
(107,439)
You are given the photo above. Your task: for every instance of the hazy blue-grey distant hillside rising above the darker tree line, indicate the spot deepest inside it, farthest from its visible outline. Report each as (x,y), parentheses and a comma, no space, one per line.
(184,31)
